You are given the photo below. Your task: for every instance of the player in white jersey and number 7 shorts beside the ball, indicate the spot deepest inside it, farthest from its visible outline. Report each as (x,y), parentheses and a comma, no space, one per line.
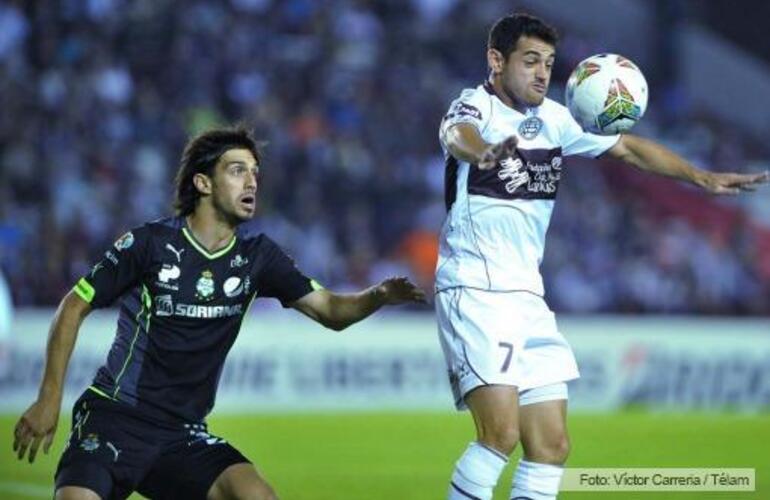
(504,142)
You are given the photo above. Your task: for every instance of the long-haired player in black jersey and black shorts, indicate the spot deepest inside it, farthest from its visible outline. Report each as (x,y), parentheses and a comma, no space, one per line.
(186,283)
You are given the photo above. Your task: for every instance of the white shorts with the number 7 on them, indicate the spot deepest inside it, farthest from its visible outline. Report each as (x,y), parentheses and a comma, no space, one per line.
(500,338)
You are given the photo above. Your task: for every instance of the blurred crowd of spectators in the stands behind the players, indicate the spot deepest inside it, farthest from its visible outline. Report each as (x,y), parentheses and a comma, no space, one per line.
(99,96)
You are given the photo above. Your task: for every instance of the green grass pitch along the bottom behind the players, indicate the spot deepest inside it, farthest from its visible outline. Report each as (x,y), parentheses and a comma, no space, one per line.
(410,456)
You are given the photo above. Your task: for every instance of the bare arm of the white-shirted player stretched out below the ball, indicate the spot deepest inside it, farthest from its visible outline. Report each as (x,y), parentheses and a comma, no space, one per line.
(652,157)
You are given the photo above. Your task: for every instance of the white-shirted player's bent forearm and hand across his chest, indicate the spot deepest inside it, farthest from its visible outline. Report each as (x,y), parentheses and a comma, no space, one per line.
(465,143)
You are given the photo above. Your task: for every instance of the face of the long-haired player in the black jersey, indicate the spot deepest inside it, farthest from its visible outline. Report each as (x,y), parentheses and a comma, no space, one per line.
(234,185)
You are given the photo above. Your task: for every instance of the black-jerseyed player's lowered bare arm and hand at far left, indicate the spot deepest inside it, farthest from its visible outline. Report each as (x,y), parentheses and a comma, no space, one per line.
(38,424)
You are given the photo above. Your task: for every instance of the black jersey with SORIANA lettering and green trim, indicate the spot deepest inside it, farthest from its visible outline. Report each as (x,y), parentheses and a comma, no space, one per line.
(181,311)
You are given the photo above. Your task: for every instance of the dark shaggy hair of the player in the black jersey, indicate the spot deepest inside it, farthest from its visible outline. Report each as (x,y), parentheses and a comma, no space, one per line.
(200,157)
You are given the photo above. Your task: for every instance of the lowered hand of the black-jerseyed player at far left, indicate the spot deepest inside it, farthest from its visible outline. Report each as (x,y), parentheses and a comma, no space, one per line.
(36,425)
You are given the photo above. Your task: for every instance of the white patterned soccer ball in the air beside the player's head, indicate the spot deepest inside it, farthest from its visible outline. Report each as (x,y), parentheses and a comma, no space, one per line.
(606,94)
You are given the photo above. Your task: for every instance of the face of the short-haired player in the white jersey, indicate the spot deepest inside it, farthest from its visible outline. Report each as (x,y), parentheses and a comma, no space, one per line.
(527,72)
